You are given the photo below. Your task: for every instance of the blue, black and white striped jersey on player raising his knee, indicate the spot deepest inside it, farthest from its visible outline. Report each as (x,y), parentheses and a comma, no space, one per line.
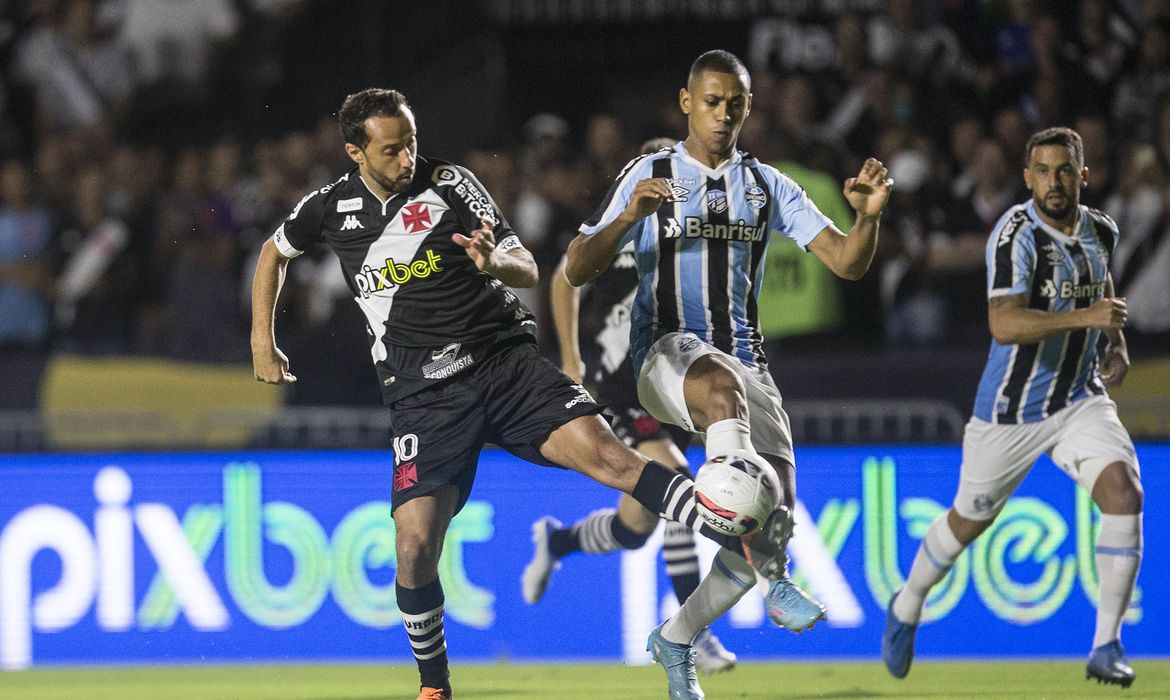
(701,258)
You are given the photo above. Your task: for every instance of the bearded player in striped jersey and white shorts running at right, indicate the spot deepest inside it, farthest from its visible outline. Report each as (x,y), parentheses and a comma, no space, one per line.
(1044,392)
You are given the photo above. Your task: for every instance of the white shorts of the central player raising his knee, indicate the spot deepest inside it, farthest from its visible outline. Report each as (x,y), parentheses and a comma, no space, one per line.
(660,393)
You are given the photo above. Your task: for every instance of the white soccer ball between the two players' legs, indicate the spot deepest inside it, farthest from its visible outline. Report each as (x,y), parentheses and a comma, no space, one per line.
(735,496)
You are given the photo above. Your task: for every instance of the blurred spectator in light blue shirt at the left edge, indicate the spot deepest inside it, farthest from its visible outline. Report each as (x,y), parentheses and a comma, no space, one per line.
(26,289)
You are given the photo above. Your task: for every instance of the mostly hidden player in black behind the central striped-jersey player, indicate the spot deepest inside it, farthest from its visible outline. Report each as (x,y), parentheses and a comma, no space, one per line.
(604,368)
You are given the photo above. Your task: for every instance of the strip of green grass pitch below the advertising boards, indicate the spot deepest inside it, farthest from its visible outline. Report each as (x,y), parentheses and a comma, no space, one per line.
(584,682)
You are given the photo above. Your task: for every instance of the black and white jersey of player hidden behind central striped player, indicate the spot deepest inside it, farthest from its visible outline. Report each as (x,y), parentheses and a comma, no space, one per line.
(605,326)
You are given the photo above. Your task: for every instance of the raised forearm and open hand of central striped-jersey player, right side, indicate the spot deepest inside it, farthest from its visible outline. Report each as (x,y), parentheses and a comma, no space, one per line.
(849,257)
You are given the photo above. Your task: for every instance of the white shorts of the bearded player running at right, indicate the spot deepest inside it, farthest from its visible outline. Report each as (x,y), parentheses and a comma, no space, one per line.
(1082,440)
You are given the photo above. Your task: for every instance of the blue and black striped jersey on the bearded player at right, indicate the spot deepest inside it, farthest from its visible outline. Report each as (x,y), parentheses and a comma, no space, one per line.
(1030,382)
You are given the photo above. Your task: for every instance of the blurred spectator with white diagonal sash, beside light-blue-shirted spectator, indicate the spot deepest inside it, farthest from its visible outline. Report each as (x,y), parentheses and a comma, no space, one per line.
(98,289)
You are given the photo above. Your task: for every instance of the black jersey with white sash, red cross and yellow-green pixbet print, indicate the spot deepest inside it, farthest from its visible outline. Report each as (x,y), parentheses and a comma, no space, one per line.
(430,313)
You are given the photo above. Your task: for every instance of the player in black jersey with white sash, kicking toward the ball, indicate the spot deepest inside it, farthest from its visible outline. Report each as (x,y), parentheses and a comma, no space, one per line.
(429,258)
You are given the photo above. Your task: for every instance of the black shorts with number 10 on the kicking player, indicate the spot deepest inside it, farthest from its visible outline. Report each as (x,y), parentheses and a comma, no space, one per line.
(515,399)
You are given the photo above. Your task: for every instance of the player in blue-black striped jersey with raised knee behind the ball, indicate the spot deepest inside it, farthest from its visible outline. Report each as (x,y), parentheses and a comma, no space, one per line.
(700,217)
